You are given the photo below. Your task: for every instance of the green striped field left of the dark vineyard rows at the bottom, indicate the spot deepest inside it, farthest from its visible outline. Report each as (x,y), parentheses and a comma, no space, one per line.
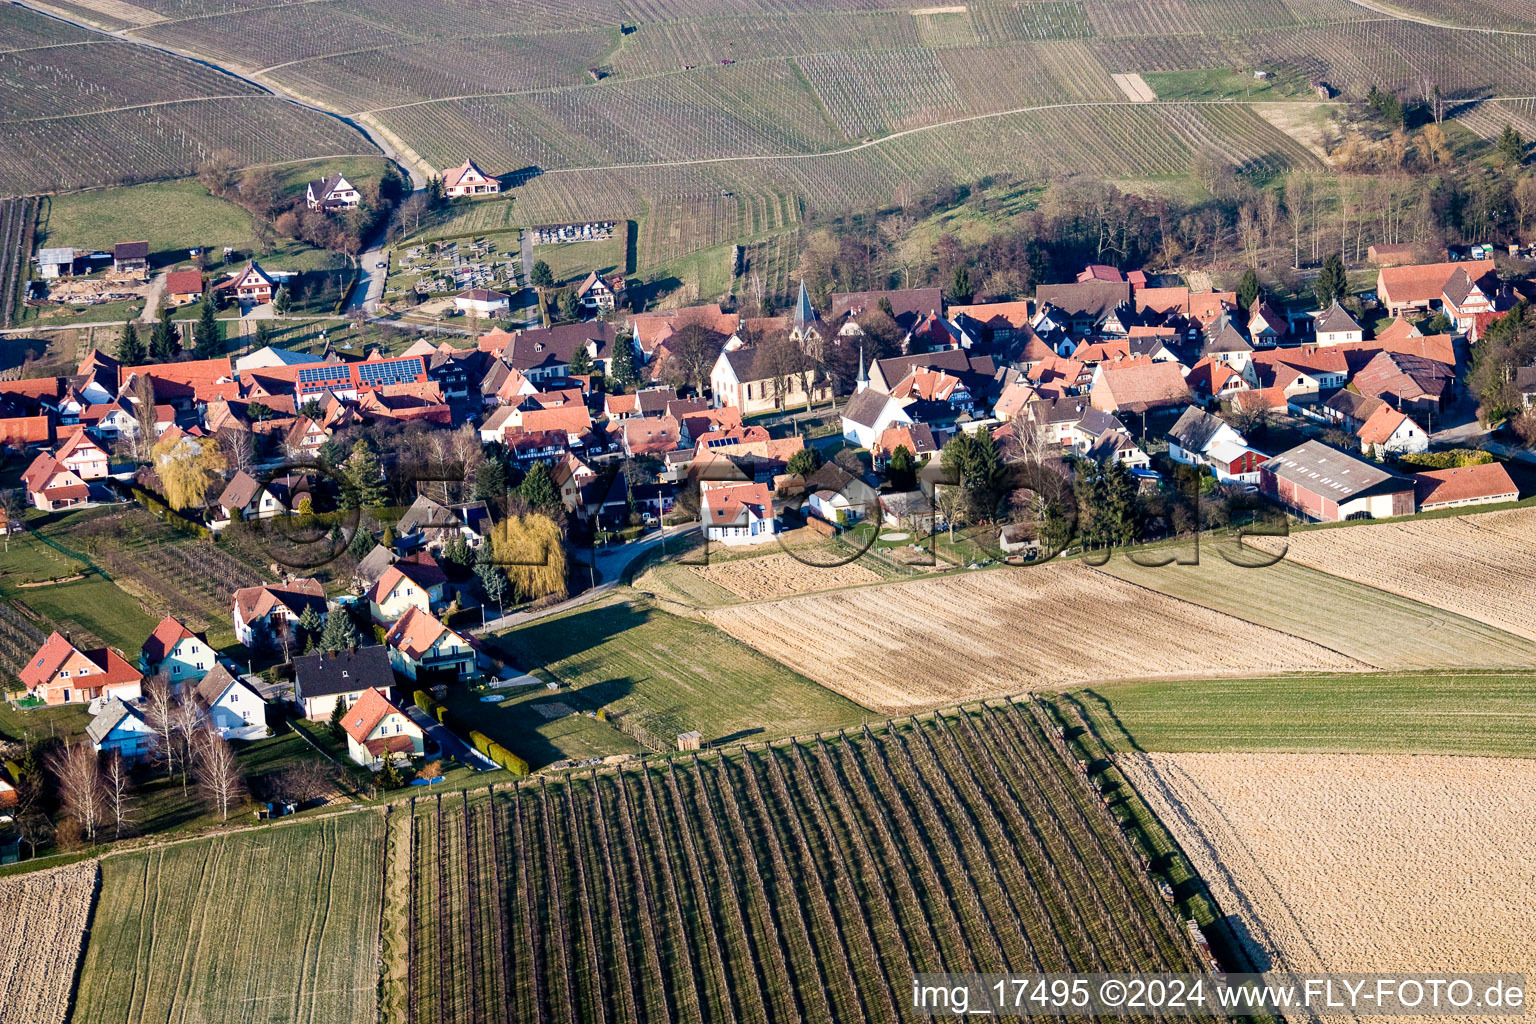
(170,942)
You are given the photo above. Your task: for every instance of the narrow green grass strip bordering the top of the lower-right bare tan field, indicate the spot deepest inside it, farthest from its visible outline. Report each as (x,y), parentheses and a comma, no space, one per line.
(1422,713)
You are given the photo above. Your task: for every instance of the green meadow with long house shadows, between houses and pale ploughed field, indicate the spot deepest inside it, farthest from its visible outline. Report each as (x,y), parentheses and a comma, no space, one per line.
(672,675)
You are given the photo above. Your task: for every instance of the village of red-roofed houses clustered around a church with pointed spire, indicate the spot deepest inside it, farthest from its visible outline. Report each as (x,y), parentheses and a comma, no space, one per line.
(878,412)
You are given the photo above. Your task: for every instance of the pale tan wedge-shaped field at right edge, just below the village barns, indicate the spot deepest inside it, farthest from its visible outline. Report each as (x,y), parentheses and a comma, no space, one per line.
(1477,566)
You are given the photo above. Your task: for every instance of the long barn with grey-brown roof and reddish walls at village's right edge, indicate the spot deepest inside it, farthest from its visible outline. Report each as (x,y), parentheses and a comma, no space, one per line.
(1325,484)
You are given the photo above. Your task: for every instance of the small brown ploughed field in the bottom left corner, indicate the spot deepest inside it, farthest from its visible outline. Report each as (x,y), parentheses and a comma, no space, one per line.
(47,914)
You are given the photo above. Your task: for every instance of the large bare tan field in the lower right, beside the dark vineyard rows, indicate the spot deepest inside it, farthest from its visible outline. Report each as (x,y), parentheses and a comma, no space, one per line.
(1339,864)
